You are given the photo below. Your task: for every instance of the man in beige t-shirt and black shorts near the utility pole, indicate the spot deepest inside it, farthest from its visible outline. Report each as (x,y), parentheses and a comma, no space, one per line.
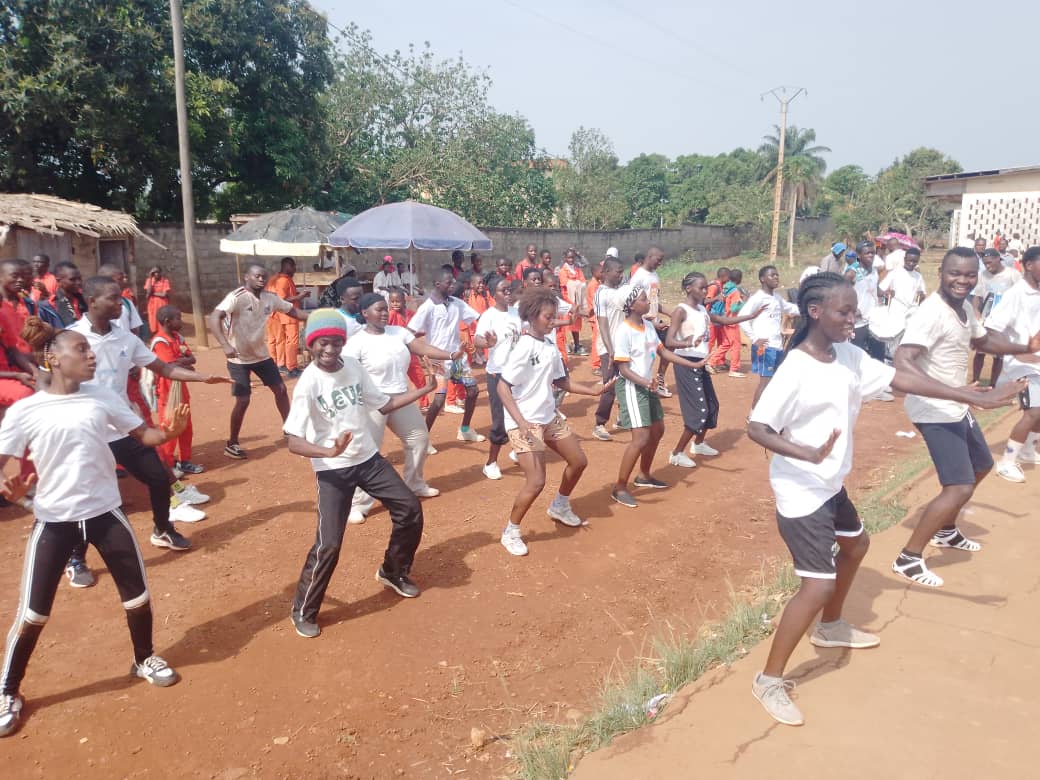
(240,325)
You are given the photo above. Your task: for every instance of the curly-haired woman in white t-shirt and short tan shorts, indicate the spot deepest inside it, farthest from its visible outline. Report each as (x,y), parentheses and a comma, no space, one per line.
(531,371)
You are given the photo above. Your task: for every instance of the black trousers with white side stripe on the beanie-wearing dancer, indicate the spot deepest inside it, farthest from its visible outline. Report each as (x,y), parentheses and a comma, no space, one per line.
(336,487)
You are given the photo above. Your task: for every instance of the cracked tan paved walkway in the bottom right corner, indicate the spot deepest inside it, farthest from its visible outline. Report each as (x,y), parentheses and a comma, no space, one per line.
(953,692)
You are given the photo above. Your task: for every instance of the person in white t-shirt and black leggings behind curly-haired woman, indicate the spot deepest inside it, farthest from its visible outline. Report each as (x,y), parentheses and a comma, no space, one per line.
(498,330)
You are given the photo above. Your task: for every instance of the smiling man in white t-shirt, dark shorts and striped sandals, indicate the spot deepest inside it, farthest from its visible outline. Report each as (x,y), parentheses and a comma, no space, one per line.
(938,343)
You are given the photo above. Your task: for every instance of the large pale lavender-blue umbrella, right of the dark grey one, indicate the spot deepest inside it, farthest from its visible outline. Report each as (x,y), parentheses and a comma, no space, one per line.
(409,226)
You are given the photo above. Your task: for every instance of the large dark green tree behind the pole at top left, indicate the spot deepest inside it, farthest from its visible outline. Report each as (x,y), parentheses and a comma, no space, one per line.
(87,101)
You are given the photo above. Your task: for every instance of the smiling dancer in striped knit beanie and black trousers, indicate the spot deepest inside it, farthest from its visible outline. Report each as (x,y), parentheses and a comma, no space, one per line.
(329,423)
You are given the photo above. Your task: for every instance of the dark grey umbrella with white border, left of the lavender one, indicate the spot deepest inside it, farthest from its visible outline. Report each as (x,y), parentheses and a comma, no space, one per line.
(302,232)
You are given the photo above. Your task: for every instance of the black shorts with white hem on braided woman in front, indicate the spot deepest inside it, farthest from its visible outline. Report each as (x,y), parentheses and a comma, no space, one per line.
(811,539)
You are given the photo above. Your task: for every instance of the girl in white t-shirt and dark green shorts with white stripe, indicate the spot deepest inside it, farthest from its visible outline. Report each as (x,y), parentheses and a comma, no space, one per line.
(636,348)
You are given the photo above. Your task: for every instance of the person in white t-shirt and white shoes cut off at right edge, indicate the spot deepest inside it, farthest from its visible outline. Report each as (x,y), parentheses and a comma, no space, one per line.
(1018,317)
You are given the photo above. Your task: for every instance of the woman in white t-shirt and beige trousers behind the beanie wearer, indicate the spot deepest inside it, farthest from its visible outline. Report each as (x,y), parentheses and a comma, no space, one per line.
(386,353)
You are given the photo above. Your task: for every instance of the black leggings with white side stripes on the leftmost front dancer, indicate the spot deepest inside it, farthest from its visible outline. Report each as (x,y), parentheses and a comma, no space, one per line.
(45,560)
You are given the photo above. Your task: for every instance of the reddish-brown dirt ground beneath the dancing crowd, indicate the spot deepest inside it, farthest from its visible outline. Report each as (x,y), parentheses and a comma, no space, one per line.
(393,687)
